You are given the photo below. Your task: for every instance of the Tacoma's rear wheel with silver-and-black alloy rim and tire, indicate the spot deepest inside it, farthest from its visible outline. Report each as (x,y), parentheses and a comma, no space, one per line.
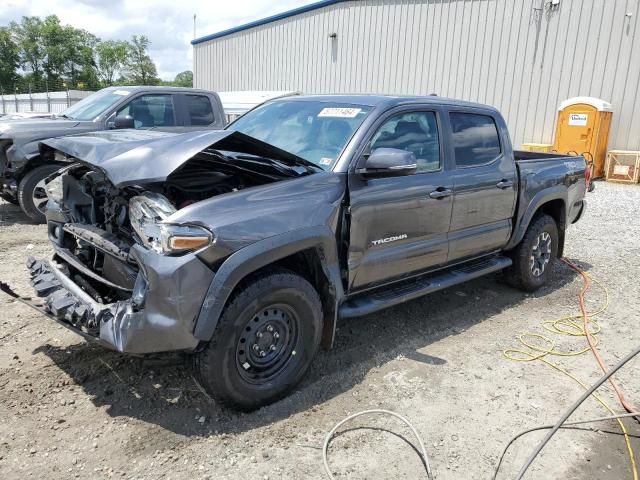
(535,256)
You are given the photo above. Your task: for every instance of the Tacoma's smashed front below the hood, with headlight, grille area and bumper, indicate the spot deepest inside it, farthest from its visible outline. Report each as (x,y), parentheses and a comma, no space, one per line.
(119,272)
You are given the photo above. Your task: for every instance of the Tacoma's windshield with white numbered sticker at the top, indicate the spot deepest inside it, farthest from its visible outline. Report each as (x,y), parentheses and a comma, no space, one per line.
(314,130)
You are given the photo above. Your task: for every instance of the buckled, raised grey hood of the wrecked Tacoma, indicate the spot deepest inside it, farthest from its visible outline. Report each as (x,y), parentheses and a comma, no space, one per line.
(131,157)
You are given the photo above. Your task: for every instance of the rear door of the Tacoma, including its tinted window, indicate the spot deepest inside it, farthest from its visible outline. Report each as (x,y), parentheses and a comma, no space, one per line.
(484,183)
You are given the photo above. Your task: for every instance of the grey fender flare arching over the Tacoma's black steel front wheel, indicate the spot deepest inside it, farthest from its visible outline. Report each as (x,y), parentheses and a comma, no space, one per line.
(311,253)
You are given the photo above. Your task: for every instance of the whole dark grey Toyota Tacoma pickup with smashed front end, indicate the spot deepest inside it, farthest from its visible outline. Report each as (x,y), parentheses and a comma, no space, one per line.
(245,246)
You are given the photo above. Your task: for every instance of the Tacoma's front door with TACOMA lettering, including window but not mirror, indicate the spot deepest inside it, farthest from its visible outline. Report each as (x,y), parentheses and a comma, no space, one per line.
(399,225)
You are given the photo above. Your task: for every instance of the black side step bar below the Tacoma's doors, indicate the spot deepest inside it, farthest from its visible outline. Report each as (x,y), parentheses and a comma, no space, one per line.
(416,287)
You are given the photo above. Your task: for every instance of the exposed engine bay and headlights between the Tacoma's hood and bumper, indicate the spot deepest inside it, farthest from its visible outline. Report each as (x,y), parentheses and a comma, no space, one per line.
(104,221)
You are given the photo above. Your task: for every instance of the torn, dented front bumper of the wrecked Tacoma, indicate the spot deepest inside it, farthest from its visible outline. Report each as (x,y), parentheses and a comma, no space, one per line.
(173,291)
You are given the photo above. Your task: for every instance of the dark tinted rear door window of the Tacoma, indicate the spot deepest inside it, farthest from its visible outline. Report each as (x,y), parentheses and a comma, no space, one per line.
(475,139)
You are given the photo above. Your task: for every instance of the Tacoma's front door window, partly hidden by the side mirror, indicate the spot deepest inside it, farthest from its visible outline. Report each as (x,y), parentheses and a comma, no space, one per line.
(416,132)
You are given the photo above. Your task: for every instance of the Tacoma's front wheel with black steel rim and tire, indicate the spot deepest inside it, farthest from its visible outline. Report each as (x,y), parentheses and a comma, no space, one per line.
(264,342)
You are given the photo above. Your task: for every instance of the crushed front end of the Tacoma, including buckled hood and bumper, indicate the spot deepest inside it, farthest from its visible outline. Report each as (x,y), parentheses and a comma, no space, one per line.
(129,269)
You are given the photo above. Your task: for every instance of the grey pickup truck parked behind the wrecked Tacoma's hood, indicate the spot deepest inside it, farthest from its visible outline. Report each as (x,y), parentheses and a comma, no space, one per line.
(23,170)
